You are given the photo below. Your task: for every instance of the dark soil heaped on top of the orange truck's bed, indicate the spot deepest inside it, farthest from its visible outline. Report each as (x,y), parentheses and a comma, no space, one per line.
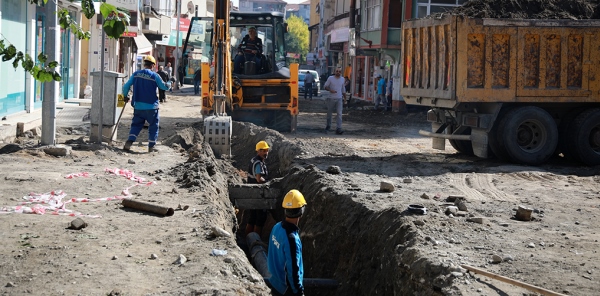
(529,9)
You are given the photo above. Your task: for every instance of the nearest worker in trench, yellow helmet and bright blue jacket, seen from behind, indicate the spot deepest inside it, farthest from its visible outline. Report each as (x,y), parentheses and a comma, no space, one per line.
(284,259)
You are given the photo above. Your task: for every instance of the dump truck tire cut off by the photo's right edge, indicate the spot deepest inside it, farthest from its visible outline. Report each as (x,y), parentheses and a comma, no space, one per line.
(585,136)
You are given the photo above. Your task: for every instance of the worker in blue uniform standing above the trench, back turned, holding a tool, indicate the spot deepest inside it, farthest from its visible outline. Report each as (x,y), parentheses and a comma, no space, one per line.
(145,102)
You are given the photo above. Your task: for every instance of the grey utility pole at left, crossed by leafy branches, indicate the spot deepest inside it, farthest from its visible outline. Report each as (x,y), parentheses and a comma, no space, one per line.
(51,88)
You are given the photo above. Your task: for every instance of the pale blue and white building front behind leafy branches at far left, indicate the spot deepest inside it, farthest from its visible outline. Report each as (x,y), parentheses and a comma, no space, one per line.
(24,25)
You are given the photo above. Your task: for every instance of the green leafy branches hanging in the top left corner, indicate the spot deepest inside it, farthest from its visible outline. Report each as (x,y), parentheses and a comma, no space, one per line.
(116,20)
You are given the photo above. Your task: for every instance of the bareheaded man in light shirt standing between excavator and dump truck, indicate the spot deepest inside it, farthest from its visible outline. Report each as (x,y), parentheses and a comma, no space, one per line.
(335,86)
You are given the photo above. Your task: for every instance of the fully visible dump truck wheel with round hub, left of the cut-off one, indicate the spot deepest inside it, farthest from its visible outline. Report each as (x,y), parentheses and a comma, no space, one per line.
(529,135)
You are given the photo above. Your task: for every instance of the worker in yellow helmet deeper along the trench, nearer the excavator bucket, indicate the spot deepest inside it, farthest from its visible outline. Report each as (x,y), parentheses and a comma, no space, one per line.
(258,174)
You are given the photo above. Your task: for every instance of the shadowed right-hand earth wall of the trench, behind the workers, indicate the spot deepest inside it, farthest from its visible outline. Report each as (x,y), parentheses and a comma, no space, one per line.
(369,250)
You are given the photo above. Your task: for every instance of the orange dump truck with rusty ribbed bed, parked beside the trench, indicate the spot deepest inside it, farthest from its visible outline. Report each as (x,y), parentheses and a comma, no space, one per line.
(522,90)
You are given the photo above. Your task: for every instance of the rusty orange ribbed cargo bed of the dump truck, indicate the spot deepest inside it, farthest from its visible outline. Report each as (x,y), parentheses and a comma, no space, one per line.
(458,59)
